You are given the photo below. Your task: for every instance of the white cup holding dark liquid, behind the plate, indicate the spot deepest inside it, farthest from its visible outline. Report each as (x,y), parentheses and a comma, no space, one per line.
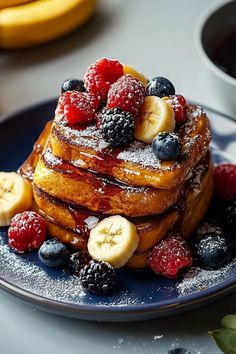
(214,27)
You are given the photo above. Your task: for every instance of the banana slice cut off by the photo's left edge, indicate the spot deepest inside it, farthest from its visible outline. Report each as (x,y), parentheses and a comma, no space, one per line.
(15,196)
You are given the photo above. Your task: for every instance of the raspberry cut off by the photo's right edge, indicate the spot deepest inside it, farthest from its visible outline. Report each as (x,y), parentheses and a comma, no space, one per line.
(225,181)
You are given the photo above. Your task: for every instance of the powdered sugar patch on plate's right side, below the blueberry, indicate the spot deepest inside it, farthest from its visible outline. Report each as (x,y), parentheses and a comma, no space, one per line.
(196,279)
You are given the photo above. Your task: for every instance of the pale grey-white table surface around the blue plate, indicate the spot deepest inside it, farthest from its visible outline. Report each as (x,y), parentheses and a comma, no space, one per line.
(156,37)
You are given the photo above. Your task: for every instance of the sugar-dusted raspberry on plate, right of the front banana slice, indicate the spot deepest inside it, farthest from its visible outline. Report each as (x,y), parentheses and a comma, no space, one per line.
(170,256)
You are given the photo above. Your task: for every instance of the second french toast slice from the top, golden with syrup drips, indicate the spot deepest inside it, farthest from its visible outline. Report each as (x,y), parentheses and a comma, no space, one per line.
(99,193)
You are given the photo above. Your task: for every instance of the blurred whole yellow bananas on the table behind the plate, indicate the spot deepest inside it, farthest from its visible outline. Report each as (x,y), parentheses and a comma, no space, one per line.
(35,22)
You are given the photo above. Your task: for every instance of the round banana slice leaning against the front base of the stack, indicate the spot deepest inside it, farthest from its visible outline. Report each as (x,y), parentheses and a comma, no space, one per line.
(113,240)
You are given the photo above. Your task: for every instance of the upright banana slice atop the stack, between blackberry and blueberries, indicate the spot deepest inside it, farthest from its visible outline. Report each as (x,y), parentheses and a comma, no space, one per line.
(156,116)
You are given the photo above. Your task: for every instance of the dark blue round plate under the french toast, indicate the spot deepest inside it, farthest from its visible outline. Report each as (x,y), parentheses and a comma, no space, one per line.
(140,294)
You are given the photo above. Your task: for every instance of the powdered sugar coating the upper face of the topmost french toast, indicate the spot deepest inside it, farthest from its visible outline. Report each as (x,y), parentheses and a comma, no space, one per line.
(90,138)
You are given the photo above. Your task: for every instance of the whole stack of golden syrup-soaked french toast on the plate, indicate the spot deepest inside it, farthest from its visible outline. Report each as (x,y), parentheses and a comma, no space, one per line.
(80,178)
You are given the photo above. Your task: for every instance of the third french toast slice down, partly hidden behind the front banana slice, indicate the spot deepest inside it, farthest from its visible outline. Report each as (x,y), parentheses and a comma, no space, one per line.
(151,229)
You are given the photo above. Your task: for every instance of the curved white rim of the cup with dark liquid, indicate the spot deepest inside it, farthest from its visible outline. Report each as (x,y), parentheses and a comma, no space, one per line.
(198,41)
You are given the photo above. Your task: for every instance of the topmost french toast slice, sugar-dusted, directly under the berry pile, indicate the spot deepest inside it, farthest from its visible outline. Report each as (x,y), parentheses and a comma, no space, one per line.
(136,164)
